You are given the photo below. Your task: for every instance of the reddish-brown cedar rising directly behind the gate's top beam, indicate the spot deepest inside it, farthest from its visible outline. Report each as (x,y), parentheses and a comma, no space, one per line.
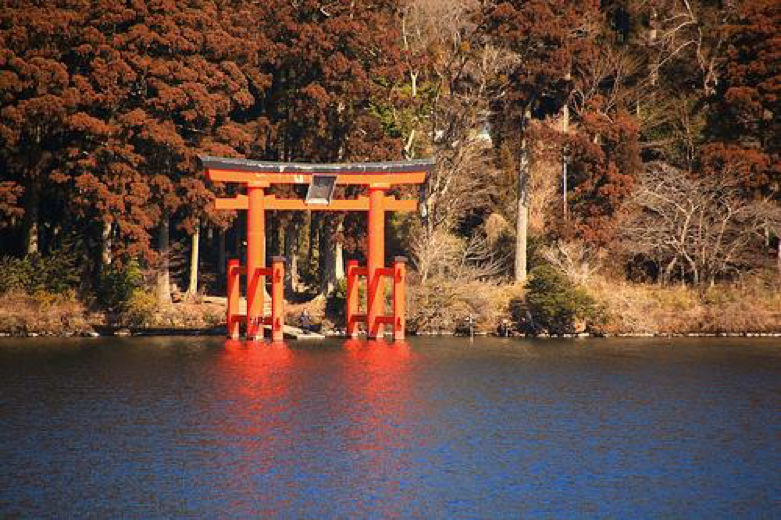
(332,66)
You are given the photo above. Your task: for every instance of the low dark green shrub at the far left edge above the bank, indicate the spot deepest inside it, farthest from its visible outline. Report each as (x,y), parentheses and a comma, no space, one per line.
(55,274)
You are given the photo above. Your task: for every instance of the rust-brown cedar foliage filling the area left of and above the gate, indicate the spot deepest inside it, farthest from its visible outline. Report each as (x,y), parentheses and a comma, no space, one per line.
(112,101)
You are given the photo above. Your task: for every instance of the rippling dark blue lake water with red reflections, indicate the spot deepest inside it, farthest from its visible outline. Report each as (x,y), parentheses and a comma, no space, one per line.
(437,428)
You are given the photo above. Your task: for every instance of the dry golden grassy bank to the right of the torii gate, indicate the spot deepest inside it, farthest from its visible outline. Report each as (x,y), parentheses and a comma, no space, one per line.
(751,306)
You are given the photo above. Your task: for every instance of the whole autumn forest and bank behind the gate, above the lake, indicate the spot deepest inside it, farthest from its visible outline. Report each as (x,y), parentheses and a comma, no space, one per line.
(601,166)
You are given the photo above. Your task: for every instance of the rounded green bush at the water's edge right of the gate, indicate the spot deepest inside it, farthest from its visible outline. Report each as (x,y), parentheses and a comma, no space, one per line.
(555,304)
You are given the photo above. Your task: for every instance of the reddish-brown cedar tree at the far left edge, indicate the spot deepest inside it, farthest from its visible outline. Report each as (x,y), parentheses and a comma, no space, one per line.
(38,101)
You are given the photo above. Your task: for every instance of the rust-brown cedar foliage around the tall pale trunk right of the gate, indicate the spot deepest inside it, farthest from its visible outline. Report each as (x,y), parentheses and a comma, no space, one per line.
(560,48)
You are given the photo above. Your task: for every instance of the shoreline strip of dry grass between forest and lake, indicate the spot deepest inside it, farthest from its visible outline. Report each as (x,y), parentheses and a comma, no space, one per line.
(636,311)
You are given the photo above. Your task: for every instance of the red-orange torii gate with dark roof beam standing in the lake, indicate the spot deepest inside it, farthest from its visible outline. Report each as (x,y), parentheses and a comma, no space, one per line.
(259,175)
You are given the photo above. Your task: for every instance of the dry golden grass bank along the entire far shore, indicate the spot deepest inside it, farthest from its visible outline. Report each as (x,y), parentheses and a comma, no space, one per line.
(753,306)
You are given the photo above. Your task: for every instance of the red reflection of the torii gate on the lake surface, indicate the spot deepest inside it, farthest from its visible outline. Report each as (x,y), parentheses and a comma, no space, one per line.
(361,395)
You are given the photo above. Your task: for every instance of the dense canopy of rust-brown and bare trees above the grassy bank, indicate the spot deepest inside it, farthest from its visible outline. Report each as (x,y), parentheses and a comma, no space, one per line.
(545,113)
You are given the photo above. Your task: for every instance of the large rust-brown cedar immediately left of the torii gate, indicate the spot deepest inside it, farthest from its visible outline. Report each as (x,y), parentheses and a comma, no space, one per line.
(160,82)
